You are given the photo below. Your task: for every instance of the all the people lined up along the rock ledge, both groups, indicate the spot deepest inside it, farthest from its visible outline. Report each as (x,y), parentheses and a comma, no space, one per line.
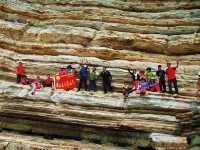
(148,80)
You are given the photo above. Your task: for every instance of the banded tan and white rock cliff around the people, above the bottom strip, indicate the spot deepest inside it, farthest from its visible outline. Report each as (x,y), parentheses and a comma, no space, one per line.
(47,34)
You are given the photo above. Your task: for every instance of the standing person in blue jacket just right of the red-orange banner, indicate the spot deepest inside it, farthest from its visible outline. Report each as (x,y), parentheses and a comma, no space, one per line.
(83,74)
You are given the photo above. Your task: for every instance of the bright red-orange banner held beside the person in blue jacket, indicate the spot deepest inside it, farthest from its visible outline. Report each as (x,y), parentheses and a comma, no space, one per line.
(66,82)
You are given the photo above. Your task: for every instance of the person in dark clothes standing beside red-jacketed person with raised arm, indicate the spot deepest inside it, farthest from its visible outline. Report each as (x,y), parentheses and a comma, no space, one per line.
(160,73)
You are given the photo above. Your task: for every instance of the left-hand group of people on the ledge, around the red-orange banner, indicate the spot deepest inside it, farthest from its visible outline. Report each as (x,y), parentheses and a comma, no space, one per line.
(86,75)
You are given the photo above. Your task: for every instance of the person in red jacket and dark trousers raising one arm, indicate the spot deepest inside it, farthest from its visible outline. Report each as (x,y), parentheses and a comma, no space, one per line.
(171,76)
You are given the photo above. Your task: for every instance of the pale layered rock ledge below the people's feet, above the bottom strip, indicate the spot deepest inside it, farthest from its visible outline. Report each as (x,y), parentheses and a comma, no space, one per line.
(97,117)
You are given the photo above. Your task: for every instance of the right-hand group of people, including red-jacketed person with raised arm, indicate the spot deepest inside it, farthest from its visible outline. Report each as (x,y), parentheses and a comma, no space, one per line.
(150,81)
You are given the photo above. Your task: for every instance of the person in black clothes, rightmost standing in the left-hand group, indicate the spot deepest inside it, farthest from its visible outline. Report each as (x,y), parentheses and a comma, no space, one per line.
(106,80)
